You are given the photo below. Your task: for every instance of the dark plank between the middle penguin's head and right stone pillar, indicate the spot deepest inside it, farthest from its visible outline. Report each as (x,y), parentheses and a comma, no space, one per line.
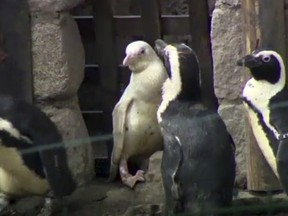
(199,28)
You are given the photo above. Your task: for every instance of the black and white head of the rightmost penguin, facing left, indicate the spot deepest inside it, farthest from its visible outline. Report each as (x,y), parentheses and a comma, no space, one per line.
(264,65)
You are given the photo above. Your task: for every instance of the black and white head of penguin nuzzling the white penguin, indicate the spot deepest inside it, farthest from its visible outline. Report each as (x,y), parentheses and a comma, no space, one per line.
(182,68)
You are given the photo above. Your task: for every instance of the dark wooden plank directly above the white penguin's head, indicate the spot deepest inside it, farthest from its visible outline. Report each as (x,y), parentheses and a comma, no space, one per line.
(150,17)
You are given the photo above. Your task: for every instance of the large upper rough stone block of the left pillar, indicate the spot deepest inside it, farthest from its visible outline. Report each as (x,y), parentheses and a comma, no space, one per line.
(58,56)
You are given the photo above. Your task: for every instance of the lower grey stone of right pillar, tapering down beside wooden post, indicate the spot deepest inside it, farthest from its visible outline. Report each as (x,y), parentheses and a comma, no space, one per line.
(234,118)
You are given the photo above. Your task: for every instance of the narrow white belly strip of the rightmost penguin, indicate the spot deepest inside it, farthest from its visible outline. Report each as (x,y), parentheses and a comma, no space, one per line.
(262,140)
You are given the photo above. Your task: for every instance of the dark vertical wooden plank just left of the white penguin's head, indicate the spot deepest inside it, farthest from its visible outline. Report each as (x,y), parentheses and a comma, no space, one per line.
(106,54)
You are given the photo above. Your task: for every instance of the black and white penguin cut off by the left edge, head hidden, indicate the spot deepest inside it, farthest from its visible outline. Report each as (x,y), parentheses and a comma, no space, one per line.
(33,160)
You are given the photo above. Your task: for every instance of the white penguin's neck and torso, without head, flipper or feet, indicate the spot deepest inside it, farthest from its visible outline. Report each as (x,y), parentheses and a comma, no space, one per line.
(142,135)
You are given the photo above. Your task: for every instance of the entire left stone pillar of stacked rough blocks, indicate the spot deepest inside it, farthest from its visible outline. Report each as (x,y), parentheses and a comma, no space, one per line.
(58,70)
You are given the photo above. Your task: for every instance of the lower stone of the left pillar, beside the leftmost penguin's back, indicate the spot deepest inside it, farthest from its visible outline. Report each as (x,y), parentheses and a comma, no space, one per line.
(68,118)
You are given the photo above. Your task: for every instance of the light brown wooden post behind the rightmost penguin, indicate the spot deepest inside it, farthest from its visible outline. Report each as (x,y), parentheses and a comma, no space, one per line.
(260,176)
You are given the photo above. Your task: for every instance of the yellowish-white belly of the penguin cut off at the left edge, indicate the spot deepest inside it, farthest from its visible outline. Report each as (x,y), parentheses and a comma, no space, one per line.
(15,178)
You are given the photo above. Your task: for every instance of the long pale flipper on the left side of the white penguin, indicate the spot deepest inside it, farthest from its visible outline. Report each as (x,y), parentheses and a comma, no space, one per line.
(119,118)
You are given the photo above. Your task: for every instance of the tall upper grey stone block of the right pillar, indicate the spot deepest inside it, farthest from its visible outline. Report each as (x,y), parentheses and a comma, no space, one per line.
(227,48)
